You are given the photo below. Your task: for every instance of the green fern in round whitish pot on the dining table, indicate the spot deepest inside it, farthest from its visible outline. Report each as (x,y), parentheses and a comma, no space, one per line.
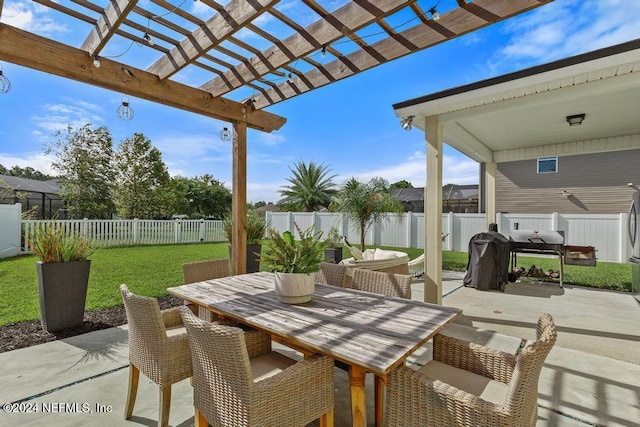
(294,263)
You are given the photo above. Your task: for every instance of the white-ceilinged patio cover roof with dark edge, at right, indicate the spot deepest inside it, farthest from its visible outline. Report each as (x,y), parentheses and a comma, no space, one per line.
(522,115)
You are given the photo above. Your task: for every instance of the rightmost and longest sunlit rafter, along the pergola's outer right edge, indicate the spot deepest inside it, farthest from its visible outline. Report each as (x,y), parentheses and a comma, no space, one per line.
(452,24)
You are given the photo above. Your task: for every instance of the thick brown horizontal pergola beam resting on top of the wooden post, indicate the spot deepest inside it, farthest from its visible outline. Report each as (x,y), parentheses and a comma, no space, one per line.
(39,53)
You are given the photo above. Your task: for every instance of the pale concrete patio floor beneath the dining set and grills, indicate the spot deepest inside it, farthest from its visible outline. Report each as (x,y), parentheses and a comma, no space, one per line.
(591,377)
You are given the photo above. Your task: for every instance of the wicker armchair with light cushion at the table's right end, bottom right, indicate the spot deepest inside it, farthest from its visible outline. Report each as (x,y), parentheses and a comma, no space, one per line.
(471,385)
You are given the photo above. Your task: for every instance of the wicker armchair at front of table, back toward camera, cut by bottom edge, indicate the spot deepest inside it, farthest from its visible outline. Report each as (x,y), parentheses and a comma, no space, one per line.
(236,385)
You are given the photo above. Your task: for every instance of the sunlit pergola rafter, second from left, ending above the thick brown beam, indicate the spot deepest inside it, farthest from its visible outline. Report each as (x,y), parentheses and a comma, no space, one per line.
(216,30)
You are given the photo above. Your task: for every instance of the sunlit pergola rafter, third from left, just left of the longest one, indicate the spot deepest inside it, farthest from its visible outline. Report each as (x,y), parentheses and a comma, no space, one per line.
(349,18)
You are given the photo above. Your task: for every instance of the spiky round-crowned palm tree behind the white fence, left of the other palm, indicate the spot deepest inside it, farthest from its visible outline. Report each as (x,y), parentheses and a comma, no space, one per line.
(311,188)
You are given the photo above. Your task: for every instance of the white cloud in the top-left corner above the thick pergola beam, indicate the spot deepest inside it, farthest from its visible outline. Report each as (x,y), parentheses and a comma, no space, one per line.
(30,17)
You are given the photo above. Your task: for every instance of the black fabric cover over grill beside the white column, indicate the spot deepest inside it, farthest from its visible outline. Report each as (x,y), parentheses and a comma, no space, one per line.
(488,264)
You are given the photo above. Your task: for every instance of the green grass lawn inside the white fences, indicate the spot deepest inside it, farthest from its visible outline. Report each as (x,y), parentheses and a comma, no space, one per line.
(149,270)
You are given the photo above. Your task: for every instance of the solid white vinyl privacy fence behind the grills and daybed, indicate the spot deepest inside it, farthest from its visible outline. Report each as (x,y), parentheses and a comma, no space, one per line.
(607,233)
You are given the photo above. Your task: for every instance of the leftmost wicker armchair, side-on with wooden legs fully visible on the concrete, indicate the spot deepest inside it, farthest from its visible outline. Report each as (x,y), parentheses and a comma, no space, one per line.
(158,347)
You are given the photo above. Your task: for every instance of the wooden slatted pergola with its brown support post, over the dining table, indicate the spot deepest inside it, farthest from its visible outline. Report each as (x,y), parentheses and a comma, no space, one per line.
(246,66)
